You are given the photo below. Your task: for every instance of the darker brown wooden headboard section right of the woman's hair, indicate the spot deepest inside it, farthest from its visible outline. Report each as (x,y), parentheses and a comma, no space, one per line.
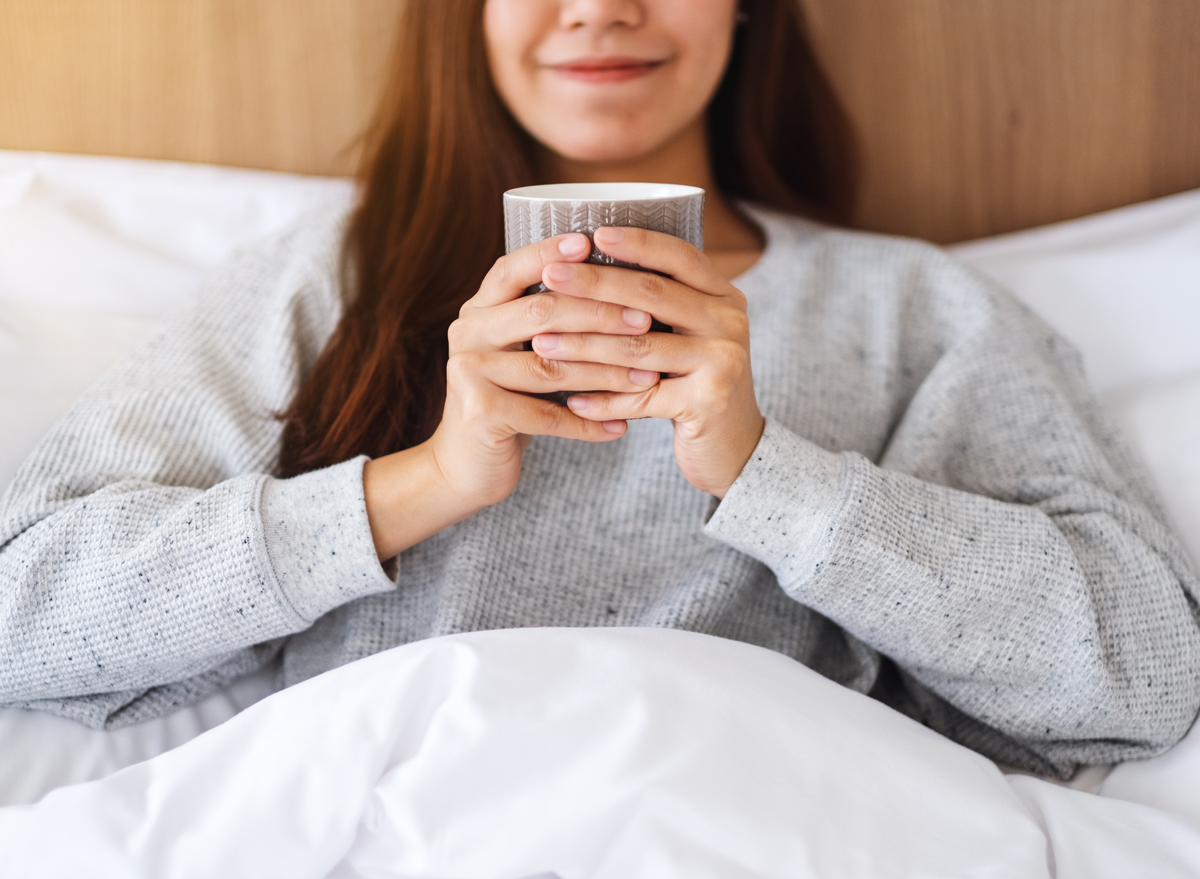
(980,117)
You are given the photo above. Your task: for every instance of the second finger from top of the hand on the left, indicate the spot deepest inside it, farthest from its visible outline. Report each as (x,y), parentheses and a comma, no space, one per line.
(509,324)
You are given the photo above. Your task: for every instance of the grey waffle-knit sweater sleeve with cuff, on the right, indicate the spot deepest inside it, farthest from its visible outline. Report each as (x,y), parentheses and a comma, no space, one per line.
(1003,557)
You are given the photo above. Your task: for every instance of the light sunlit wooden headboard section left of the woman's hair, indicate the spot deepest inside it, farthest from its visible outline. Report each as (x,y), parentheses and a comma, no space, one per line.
(283,85)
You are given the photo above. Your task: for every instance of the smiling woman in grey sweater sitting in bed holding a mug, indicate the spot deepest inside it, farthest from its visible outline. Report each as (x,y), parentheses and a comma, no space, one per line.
(863,456)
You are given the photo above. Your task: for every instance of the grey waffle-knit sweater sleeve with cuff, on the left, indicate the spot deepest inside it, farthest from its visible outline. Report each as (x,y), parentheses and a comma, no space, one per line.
(147,555)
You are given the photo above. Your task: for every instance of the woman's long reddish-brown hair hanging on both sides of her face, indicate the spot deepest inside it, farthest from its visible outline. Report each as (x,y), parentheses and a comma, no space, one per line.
(439,158)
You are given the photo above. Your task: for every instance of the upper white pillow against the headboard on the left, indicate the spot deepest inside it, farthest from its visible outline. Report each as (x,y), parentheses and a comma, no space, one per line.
(134,236)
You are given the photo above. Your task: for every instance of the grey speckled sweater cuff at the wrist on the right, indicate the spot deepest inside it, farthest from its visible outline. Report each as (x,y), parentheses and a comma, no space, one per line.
(783,507)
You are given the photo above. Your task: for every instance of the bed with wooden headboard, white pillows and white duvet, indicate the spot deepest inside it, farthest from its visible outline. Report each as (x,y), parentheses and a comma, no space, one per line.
(590,754)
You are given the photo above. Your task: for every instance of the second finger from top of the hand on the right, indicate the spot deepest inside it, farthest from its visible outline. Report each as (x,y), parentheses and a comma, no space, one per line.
(669,301)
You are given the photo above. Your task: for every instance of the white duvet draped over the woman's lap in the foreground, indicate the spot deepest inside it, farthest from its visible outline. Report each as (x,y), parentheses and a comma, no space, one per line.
(599,754)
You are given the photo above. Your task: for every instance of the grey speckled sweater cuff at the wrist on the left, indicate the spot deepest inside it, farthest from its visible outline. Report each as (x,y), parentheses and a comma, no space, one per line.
(319,540)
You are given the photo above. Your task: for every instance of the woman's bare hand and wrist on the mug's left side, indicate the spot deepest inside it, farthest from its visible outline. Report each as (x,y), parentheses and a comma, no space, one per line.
(473,459)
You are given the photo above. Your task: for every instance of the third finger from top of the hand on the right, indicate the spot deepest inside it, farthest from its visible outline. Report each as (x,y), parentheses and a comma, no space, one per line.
(657,352)
